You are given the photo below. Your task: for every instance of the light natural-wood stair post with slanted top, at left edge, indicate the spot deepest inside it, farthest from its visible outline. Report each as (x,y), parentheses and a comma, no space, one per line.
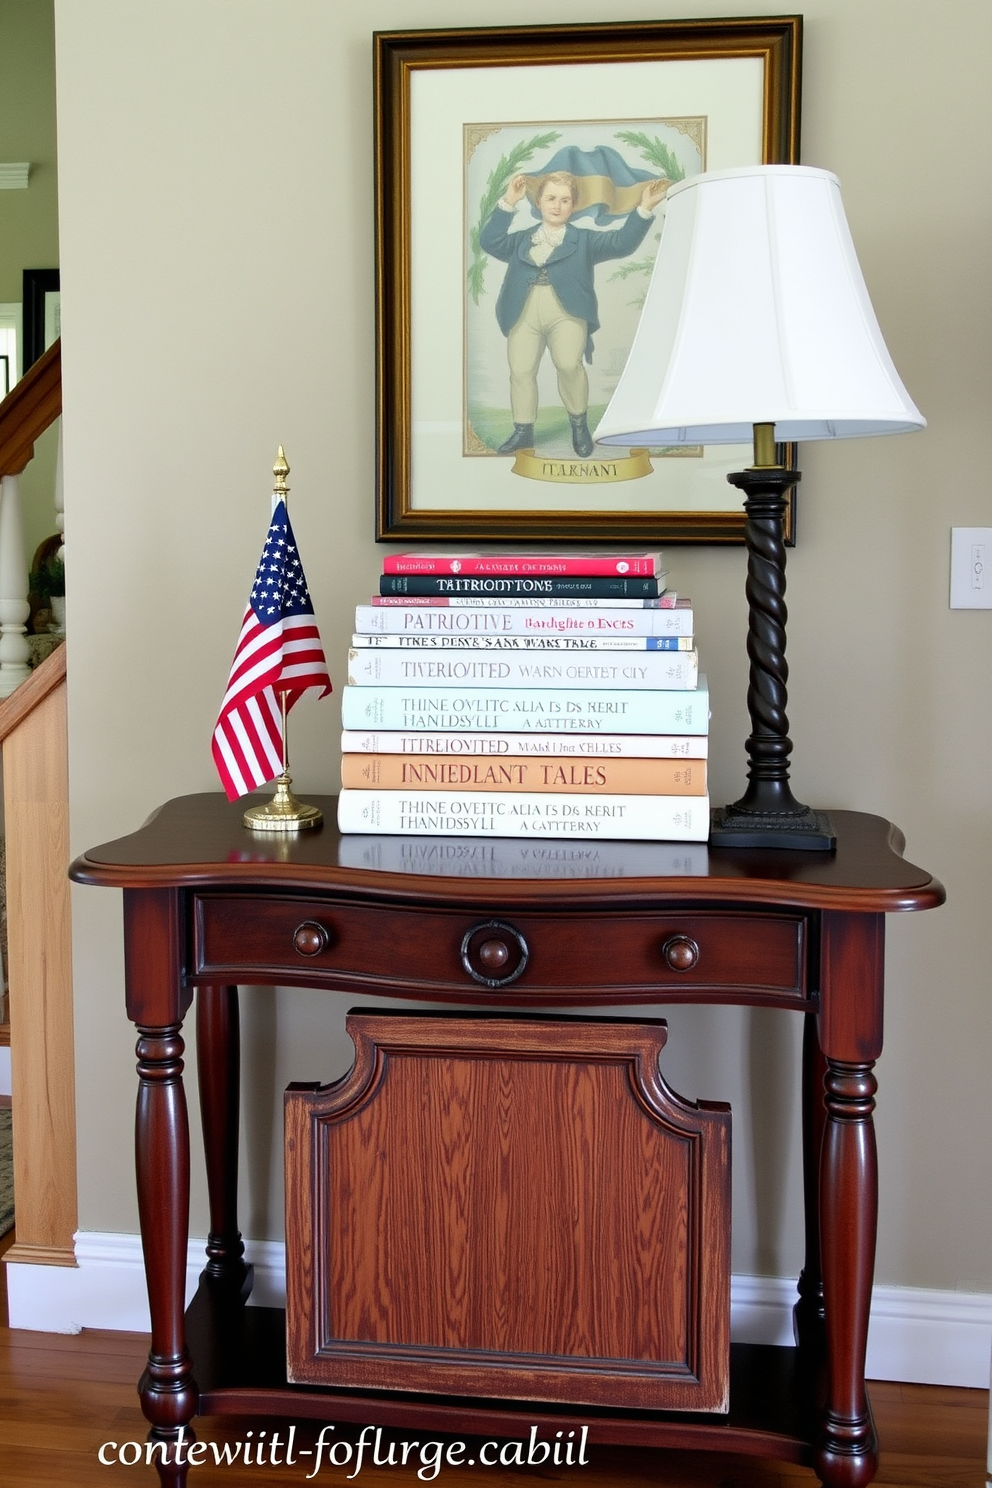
(36,806)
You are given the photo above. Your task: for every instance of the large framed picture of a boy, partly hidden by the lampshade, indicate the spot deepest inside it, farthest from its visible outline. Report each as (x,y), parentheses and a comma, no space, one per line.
(529,142)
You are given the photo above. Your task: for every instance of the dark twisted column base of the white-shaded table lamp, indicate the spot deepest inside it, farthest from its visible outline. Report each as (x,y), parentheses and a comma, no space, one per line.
(768,815)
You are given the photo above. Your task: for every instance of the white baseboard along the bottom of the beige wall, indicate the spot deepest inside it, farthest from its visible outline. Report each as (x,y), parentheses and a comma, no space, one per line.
(936,1338)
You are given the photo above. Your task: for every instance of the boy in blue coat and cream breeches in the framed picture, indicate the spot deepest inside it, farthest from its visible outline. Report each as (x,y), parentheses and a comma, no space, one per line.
(550,300)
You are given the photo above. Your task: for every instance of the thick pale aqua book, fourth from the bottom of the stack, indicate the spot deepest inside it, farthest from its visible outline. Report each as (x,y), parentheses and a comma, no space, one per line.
(524,711)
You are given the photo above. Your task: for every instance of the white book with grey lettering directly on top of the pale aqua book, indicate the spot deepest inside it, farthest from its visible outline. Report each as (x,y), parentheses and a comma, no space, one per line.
(538,669)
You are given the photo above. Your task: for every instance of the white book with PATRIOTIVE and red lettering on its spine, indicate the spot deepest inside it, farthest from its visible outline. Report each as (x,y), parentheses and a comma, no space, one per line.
(526,620)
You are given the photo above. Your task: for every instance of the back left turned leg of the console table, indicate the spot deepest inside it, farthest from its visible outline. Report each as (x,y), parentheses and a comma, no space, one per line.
(219,1071)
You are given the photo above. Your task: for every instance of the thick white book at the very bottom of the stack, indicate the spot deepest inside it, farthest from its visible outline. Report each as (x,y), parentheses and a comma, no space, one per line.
(532,815)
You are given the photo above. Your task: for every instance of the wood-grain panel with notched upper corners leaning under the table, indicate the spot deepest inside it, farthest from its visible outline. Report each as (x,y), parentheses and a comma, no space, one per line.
(509,1208)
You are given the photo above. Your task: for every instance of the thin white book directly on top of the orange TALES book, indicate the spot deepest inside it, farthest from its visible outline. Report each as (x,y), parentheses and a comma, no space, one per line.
(575,746)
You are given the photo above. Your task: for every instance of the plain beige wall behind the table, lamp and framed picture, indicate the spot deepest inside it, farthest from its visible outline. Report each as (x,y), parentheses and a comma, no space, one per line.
(216,217)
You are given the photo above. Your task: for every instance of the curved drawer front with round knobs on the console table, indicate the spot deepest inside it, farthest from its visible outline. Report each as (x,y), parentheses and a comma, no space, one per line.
(471,956)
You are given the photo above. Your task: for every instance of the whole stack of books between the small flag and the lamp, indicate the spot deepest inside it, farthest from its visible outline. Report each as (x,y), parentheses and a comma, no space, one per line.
(526,697)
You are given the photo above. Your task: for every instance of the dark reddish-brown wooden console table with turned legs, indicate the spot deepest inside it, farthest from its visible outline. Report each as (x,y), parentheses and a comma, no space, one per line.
(509,925)
